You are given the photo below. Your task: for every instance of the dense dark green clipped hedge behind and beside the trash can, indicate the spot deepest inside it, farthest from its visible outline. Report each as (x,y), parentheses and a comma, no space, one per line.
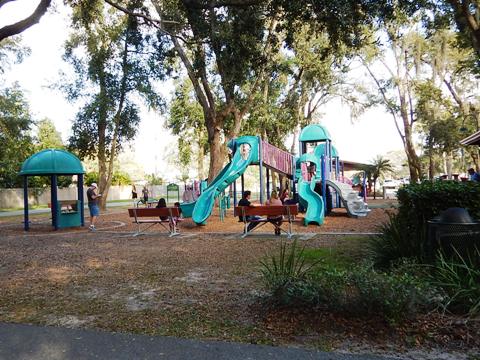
(405,234)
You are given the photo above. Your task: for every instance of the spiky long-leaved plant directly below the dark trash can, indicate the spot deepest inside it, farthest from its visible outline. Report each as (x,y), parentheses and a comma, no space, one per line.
(459,278)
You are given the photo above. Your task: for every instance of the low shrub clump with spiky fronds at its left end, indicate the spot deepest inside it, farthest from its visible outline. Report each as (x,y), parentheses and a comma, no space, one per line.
(359,291)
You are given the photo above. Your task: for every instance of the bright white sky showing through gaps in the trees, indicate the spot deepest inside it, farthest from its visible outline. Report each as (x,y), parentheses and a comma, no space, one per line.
(360,141)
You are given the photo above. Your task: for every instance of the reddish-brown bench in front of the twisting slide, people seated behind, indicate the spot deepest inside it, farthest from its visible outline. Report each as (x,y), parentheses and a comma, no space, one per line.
(287,211)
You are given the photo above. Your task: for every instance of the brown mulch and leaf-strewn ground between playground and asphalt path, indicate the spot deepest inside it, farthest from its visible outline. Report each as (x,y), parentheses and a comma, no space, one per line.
(203,284)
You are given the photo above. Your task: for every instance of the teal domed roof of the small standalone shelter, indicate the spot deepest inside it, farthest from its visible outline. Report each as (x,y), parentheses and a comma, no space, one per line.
(52,162)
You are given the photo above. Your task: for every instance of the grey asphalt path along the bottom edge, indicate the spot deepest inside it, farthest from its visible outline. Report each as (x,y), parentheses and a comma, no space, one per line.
(29,342)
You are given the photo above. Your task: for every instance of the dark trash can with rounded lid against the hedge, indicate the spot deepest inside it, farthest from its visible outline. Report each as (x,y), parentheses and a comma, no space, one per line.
(454,232)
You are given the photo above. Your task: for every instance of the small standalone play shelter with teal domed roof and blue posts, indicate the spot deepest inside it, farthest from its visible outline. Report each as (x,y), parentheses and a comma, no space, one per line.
(54,163)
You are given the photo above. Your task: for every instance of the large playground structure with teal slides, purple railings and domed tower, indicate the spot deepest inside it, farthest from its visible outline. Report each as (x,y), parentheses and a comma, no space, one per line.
(318,174)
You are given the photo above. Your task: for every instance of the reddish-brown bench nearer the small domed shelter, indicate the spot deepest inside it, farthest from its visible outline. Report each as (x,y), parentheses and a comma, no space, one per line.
(151,216)
